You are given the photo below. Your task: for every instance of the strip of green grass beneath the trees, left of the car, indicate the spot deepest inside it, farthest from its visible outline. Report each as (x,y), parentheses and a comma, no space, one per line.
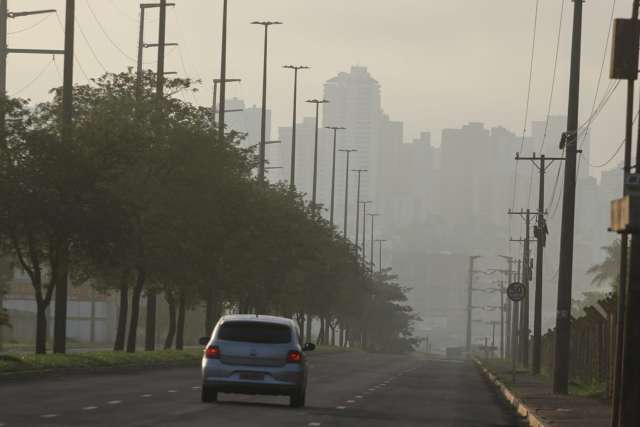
(94,360)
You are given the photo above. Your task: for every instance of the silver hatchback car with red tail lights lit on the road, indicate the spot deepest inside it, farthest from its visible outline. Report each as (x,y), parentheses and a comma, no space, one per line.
(255,354)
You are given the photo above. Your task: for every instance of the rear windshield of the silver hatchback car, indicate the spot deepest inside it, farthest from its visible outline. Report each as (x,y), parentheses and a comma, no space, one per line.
(255,332)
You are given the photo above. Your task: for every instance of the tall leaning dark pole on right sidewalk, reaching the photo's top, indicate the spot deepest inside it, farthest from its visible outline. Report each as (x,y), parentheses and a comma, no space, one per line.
(565,273)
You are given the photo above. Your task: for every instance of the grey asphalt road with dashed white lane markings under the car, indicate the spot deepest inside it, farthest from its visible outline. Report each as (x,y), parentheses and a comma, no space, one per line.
(345,389)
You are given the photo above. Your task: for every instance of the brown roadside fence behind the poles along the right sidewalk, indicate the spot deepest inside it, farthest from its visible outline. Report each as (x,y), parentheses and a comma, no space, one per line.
(592,347)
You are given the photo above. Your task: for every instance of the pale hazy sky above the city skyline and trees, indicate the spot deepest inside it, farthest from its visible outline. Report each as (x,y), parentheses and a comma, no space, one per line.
(441,63)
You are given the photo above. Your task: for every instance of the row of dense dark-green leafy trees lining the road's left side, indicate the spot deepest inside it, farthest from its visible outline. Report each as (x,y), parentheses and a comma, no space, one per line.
(145,201)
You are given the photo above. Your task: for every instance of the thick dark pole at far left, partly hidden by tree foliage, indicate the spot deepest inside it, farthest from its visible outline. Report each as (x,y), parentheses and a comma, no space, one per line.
(60,316)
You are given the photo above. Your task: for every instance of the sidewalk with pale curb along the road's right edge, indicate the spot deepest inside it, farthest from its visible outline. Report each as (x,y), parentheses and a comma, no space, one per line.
(532,398)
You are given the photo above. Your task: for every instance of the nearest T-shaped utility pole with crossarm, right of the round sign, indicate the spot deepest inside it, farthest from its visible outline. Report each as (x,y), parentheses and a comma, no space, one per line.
(540,232)
